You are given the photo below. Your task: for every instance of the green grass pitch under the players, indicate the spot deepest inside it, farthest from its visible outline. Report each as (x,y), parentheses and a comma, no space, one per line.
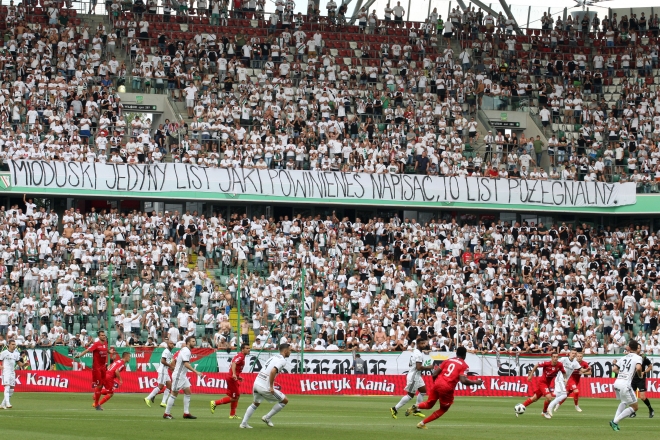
(70,416)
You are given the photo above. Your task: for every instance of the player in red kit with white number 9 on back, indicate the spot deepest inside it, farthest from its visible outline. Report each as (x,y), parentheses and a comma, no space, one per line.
(446,377)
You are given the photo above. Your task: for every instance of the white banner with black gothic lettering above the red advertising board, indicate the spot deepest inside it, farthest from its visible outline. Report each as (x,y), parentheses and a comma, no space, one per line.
(328,362)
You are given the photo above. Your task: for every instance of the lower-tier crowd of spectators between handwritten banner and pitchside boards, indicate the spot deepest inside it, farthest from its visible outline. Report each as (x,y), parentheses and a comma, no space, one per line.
(377,284)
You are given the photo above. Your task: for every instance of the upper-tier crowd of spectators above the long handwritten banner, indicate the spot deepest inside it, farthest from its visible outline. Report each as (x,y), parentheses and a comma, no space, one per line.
(287,100)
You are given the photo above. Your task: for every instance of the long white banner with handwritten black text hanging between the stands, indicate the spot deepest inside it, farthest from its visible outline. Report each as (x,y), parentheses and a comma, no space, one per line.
(337,186)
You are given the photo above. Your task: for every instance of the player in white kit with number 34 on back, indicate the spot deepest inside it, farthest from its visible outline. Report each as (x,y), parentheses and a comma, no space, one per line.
(629,365)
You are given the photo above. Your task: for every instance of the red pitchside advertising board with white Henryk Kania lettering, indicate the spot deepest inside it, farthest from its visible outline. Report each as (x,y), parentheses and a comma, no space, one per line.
(320,384)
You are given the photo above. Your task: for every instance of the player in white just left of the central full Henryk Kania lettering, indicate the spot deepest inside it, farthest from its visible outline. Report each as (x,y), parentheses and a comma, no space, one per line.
(264,387)
